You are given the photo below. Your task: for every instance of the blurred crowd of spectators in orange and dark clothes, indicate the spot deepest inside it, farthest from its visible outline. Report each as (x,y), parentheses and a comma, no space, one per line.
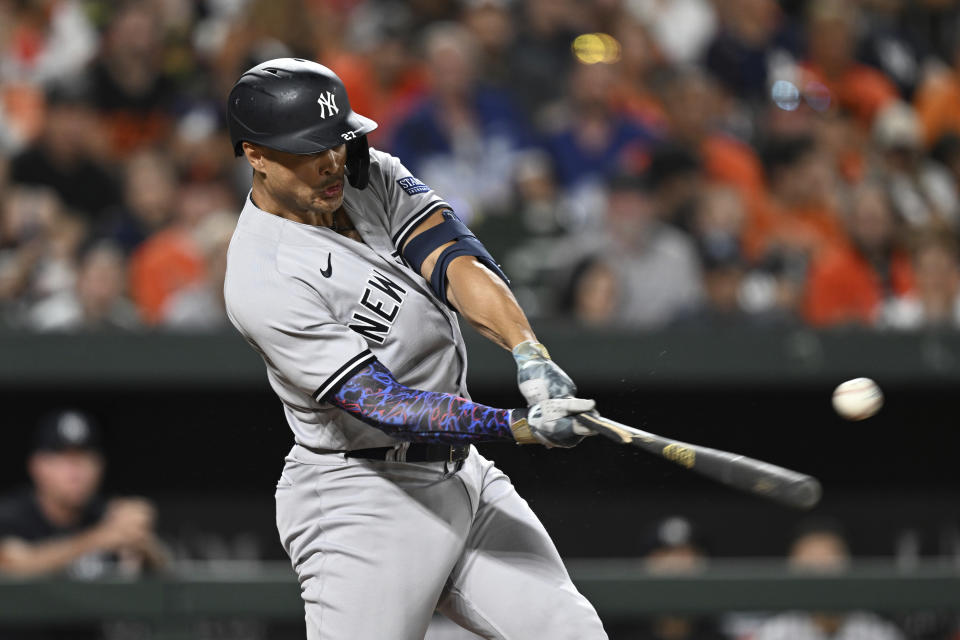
(632,163)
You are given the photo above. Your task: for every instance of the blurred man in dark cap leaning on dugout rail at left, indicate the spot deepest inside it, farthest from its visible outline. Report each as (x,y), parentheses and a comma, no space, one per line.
(61,525)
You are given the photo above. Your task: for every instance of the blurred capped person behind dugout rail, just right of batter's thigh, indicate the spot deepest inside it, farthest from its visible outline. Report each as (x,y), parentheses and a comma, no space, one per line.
(671,546)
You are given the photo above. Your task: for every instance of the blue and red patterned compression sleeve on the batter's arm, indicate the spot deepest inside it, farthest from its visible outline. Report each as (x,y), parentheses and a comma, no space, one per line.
(374,396)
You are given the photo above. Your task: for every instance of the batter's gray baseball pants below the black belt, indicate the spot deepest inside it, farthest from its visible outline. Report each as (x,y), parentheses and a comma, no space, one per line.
(378,546)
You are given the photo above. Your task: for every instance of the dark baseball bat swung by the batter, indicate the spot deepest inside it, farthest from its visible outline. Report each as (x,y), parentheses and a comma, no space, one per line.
(753,476)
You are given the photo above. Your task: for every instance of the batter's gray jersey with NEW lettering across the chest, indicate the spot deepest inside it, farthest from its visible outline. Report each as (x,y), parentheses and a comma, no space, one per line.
(319,306)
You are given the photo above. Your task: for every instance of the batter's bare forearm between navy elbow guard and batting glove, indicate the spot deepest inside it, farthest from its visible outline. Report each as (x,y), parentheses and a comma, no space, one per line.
(487,303)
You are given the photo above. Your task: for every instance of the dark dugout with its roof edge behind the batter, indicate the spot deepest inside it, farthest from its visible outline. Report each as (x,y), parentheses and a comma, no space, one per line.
(190,422)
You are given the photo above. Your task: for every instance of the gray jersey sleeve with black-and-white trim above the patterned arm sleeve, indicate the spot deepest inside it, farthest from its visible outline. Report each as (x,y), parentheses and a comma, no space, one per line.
(292,327)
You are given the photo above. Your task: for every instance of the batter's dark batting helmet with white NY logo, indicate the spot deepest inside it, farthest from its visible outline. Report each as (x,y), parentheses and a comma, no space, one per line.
(300,107)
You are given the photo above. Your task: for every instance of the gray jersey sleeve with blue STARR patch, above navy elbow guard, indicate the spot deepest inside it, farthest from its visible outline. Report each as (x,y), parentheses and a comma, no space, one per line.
(408,201)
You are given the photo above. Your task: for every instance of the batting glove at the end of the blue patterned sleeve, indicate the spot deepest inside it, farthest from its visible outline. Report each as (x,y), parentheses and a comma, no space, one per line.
(551,422)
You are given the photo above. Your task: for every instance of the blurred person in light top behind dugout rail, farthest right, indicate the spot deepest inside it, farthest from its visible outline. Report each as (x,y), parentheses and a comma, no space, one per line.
(820,546)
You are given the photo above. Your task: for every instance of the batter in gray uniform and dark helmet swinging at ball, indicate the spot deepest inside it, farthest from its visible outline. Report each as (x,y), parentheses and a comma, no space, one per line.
(345,274)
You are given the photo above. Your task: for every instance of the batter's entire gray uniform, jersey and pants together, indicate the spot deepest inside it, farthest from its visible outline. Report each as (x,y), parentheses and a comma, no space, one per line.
(378,545)
